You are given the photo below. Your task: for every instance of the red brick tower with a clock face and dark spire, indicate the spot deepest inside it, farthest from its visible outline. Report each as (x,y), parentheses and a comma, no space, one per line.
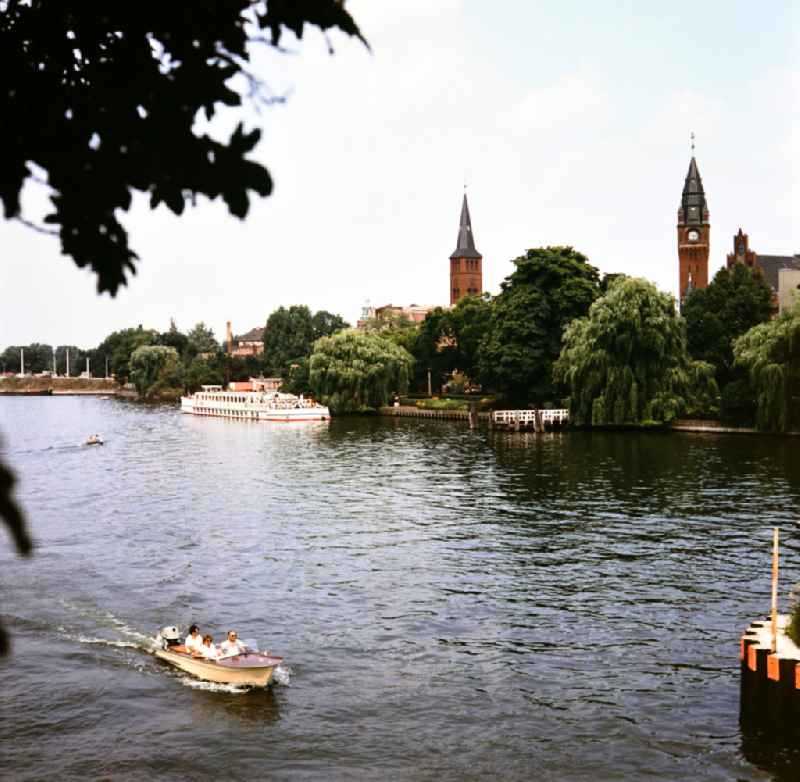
(693,233)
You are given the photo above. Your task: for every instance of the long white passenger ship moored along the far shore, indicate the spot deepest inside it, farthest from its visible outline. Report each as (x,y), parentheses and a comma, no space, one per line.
(253,404)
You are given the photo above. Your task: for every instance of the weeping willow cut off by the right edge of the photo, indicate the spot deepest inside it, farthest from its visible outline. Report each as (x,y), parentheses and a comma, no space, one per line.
(770,352)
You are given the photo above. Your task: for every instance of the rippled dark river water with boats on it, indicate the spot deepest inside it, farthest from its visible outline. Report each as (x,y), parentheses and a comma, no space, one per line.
(450,605)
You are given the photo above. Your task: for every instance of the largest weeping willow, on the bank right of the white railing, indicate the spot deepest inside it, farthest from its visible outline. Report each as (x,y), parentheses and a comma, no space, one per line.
(626,362)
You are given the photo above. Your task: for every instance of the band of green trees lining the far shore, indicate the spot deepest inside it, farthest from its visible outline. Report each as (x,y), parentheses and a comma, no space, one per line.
(613,351)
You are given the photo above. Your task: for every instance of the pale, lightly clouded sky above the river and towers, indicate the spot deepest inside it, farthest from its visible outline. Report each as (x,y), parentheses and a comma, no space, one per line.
(568,121)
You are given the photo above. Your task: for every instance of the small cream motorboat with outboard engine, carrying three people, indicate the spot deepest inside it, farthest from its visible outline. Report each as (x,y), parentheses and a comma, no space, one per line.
(249,669)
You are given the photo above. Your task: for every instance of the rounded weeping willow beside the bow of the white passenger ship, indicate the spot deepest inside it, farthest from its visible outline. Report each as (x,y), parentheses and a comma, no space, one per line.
(354,370)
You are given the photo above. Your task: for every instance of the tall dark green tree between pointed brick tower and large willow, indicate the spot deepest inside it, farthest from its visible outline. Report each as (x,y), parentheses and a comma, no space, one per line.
(550,287)
